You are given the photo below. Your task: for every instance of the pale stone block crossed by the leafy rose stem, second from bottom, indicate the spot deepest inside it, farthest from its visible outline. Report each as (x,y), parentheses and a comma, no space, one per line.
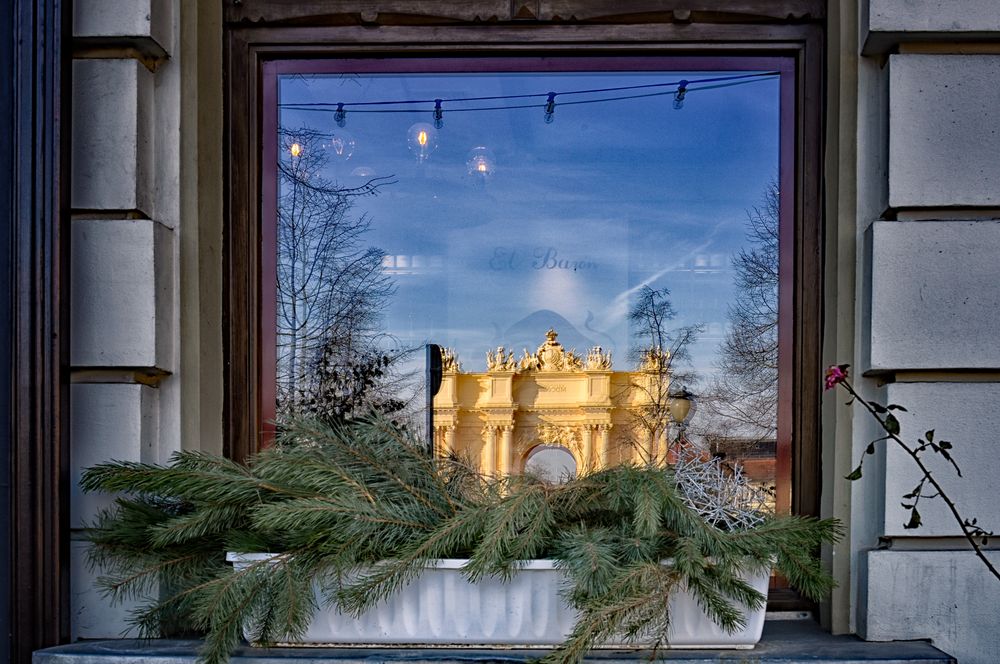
(959,413)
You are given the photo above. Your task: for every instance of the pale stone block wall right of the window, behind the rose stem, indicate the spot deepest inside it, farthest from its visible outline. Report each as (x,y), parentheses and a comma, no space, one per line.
(929,312)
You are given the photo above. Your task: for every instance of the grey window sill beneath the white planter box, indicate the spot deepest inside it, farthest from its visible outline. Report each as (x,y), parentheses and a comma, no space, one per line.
(783,641)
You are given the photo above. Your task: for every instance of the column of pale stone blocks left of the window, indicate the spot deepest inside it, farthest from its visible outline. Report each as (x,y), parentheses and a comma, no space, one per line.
(124,261)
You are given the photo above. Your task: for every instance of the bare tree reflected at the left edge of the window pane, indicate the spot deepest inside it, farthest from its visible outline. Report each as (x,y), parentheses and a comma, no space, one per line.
(331,289)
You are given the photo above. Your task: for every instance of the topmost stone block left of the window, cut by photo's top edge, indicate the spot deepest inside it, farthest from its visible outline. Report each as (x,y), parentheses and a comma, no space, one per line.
(137,19)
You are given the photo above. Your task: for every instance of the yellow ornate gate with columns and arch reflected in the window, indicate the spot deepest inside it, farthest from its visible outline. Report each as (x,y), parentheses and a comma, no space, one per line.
(550,398)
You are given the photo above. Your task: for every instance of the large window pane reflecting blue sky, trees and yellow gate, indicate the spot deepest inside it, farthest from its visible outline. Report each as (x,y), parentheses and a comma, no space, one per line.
(581,273)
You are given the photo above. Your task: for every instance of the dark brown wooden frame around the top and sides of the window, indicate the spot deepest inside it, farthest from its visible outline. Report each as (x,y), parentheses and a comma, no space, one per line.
(790,30)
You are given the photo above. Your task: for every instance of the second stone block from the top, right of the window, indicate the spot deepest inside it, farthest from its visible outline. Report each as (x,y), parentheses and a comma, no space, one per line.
(944,137)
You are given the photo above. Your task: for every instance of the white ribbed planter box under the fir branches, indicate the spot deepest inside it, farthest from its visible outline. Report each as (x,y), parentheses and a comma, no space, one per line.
(441,608)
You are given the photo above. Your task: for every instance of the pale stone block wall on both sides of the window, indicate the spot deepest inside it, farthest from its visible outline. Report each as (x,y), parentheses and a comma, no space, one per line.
(912,281)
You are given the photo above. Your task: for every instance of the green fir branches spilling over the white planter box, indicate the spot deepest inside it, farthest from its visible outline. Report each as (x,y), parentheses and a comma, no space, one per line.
(358,509)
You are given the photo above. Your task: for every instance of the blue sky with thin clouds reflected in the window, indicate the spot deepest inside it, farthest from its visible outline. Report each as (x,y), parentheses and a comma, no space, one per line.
(576,216)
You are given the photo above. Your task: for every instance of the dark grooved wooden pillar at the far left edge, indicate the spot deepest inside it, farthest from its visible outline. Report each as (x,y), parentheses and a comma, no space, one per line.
(34,455)
